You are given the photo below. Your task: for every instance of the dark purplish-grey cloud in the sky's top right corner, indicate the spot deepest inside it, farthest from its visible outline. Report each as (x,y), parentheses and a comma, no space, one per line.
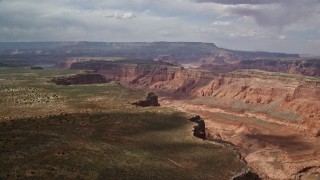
(273,13)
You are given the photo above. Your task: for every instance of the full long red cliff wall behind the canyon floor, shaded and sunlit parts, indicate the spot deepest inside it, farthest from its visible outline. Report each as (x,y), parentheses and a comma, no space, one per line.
(294,99)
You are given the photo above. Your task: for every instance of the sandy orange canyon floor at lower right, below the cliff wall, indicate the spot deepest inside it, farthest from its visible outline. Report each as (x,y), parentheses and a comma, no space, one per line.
(274,149)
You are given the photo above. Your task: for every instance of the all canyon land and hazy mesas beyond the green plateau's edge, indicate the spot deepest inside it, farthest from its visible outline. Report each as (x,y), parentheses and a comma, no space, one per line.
(265,105)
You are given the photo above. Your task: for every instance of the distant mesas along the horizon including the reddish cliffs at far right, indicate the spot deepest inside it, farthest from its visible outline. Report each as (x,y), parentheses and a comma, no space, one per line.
(195,54)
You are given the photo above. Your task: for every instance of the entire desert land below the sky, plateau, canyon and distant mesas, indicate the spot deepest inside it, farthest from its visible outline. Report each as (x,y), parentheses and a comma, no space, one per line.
(213,113)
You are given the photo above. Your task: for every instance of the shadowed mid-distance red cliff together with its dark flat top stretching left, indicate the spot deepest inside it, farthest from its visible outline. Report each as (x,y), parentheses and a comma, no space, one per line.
(159,76)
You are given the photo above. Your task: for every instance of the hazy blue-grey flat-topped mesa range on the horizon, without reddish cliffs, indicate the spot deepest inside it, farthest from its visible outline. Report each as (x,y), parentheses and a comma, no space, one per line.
(182,52)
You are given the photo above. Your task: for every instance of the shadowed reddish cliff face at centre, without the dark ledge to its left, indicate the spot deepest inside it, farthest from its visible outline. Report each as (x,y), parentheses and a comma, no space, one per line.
(160,78)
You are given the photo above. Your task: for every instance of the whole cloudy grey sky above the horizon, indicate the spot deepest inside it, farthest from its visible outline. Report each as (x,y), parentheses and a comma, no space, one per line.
(291,26)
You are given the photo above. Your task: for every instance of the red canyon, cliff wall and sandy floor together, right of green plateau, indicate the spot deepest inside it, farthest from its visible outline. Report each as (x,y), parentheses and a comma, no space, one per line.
(271,118)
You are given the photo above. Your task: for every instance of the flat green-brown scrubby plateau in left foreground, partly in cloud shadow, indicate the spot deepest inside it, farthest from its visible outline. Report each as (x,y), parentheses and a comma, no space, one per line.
(93,132)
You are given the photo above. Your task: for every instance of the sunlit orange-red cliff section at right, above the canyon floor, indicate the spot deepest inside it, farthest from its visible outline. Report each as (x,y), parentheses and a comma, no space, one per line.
(290,99)
